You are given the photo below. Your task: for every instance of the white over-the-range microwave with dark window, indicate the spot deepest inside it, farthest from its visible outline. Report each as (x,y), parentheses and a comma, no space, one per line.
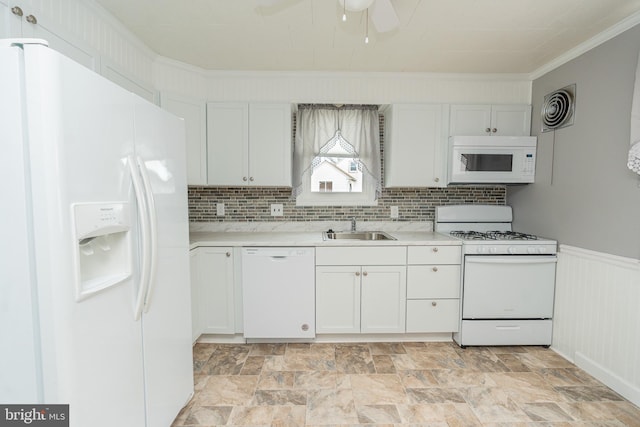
(492,159)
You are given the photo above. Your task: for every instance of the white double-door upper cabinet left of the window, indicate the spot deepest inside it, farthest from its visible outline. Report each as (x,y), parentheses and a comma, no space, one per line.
(249,144)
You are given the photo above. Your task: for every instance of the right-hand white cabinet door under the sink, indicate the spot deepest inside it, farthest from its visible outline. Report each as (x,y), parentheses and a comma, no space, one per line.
(384,299)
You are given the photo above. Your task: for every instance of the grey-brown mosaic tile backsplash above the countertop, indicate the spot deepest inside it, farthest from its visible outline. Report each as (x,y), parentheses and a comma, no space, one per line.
(254,204)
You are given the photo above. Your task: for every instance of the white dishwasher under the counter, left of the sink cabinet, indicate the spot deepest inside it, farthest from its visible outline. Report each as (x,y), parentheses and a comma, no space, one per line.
(278,292)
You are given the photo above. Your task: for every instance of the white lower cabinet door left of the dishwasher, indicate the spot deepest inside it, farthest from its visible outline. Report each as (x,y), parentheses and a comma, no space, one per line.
(216,290)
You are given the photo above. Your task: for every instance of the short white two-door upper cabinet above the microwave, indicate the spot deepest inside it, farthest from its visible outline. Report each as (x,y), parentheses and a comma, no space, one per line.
(503,120)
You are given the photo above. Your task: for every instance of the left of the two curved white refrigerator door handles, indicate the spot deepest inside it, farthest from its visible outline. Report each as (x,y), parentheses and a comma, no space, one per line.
(138,188)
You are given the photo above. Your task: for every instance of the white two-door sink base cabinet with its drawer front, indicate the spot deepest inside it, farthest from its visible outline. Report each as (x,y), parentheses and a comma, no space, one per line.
(360,298)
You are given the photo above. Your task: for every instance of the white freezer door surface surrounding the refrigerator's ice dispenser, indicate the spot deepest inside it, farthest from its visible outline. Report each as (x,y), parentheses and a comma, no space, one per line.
(79,133)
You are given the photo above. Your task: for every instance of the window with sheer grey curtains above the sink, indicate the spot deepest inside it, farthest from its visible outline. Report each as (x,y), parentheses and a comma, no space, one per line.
(337,156)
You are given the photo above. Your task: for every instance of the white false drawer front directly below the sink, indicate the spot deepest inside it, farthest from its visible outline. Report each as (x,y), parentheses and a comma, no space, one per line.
(361,255)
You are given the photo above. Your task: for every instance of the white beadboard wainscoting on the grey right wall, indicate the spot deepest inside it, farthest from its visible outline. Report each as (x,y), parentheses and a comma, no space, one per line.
(597,317)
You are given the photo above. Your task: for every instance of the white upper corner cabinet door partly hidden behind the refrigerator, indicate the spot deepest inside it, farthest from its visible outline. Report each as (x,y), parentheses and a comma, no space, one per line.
(193,111)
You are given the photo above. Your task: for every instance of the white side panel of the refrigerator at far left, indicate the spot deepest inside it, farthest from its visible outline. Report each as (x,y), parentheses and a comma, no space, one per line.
(19,375)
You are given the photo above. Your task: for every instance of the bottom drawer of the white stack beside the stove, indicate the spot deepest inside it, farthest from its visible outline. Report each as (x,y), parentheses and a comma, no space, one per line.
(433,315)
